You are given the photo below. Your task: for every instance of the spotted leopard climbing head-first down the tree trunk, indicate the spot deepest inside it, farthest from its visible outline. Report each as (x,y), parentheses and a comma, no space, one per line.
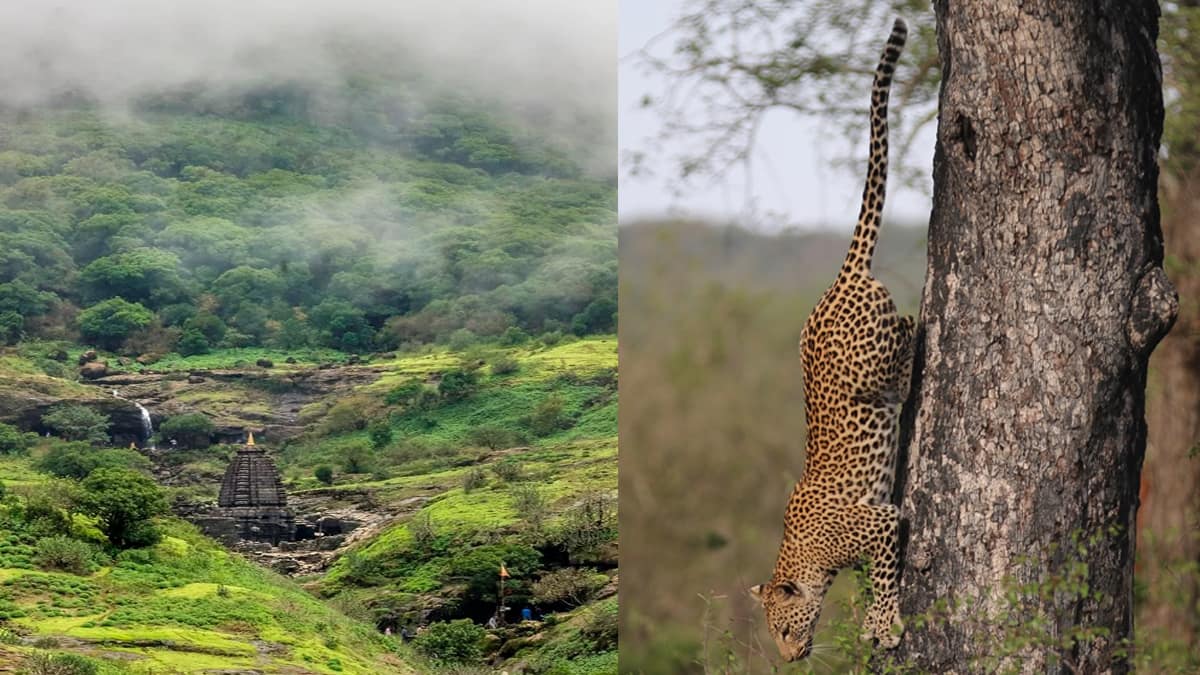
(856,356)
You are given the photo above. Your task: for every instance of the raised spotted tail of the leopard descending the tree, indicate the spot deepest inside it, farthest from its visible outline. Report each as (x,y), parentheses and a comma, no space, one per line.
(862,247)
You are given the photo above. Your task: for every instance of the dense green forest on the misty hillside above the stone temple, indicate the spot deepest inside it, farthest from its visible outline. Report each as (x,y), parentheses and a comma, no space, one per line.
(196,220)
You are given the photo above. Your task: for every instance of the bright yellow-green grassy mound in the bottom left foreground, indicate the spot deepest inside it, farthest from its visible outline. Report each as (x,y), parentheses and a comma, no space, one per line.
(185,606)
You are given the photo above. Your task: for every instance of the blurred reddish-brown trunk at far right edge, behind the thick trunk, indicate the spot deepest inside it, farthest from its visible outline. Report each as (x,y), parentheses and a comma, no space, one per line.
(1168,546)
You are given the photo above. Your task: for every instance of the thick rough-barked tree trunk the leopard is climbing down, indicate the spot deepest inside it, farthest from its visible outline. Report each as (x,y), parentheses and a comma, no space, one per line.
(1045,296)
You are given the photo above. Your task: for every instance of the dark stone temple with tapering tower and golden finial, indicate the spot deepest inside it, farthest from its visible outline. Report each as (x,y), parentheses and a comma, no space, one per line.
(253,501)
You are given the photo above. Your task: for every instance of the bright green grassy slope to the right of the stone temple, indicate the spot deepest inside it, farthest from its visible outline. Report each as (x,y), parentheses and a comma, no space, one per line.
(565,467)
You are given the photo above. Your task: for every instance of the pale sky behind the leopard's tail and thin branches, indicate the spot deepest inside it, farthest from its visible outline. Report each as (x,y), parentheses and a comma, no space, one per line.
(794,183)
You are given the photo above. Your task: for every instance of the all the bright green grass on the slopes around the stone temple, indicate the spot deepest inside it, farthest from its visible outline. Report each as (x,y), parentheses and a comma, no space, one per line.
(189,599)
